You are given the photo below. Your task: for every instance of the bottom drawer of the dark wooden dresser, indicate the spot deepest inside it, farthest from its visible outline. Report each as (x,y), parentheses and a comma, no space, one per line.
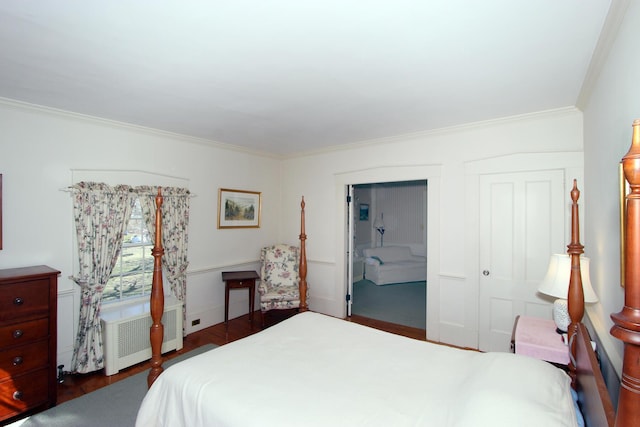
(23,392)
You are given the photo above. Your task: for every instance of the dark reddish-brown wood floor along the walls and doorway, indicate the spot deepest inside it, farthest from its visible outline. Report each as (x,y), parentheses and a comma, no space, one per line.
(78,384)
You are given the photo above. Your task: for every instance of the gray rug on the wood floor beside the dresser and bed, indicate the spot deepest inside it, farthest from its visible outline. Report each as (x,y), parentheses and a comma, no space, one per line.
(114,405)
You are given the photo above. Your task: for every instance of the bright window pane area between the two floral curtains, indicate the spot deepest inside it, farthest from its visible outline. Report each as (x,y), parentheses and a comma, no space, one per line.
(132,275)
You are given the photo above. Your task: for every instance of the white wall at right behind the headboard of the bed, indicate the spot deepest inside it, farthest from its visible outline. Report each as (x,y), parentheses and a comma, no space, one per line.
(613,105)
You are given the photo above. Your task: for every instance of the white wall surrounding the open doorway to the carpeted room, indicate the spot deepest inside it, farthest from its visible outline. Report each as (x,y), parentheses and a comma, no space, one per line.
(439,157)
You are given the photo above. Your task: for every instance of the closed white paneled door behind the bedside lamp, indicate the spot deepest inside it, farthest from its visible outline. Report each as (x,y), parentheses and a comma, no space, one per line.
(521,225)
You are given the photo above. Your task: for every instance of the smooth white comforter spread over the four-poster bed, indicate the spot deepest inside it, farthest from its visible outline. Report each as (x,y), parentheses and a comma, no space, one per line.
(315,370)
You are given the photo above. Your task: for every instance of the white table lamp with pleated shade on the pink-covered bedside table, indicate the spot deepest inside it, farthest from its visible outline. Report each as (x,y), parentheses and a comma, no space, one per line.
(556,284)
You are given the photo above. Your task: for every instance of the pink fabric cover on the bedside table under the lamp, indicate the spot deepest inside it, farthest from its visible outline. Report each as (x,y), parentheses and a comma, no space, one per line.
(538,338)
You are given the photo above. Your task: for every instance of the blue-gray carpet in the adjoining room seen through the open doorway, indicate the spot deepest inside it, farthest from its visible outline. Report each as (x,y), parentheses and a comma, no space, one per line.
(400,303)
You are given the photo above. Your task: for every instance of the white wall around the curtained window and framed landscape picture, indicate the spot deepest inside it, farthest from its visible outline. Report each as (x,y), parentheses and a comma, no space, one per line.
(41,150)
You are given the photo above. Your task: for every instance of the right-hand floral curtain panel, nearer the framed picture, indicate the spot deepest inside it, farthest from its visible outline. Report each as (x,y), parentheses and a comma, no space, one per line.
(175,237)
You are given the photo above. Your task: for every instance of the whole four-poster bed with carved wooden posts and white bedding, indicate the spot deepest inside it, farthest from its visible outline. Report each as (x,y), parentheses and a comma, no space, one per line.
(316,370)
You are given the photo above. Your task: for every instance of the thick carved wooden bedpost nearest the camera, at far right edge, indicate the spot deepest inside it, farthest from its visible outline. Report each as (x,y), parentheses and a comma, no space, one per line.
(627,322)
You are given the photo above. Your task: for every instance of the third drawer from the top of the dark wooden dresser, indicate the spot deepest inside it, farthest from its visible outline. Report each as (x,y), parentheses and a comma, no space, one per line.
(19,360)
